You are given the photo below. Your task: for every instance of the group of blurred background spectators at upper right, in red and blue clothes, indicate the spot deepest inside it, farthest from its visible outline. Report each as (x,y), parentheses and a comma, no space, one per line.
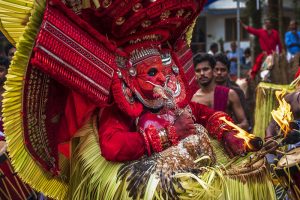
(269,42)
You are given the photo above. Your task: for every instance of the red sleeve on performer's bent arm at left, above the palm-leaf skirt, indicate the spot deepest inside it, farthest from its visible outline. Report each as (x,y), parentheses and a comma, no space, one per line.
(118,138)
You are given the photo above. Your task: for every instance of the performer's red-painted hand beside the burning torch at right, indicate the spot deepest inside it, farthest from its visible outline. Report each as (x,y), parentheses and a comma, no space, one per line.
(233,145)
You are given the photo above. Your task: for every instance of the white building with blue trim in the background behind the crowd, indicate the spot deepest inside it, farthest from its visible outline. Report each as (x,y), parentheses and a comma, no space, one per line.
(218,23)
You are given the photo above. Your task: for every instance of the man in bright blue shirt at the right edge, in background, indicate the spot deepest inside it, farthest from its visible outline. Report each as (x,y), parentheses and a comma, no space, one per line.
(292,40)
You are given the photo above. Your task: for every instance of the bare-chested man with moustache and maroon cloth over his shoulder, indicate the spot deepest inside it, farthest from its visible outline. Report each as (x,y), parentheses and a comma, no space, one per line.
(217,97)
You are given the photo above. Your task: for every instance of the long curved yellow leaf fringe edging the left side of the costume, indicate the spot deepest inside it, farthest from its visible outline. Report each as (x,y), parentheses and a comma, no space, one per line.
(26,167)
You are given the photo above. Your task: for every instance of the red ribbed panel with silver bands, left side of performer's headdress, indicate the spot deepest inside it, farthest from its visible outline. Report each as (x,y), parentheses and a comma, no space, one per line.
(87,62)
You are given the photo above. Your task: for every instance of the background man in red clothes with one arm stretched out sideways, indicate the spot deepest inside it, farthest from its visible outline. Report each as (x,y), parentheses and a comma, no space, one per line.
(268,40)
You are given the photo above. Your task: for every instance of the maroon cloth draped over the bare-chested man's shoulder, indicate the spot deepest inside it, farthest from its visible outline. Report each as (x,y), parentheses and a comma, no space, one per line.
(221,98)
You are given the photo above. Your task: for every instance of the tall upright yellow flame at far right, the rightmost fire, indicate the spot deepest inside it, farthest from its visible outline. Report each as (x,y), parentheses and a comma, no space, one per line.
(283,115)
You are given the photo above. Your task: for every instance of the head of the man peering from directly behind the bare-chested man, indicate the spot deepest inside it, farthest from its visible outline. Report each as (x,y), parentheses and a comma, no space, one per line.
(221,70)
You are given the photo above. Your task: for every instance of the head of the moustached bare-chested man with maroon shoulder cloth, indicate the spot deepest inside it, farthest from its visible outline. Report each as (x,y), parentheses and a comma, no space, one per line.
(204,65)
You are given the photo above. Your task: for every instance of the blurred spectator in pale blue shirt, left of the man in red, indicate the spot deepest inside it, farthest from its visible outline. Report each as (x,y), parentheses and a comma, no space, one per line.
(233,56)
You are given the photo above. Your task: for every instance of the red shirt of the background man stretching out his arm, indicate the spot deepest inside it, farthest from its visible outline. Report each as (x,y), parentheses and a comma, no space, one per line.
(267,42)
